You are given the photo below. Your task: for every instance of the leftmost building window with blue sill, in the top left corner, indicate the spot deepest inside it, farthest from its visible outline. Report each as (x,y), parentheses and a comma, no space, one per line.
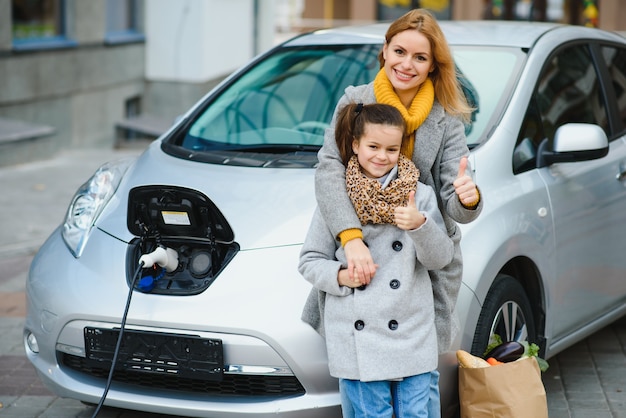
(38,24)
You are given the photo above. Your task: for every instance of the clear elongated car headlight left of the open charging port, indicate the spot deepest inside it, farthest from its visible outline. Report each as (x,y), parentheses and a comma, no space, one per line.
(89,201)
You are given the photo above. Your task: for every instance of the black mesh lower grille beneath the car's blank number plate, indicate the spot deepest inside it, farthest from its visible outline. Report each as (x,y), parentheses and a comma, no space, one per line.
(232,384)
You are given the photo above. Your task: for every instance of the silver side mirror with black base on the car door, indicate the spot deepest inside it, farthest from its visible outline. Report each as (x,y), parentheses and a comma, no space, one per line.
(573,142)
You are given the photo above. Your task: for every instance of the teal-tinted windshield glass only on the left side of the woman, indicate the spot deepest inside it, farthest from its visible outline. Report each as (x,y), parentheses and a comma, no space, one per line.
(287,99)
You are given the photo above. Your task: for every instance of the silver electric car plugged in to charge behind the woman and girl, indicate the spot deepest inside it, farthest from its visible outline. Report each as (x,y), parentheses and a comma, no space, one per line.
(178,269)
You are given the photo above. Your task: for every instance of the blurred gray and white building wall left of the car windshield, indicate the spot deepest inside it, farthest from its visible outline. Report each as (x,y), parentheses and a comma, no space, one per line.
(76,74)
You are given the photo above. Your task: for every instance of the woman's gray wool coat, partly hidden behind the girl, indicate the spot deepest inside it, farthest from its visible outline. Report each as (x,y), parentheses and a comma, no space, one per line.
(439,145)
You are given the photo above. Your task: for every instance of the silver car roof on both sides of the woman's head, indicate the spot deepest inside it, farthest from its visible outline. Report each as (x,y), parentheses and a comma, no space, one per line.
(475,32)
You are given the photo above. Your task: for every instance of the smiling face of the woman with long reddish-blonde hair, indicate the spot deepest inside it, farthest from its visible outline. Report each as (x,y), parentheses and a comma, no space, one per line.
(408,61)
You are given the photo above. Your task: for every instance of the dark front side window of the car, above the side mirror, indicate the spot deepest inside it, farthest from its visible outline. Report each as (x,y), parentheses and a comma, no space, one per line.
(568,91)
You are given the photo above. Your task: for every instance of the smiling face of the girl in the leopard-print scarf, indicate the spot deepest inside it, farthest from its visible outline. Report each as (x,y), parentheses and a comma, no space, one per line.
(378,149)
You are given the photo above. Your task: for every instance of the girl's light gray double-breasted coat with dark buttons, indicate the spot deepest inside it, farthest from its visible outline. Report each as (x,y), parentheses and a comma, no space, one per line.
(386,330)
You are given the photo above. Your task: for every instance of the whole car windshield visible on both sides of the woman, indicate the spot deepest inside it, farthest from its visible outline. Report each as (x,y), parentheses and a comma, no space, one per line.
(282,104)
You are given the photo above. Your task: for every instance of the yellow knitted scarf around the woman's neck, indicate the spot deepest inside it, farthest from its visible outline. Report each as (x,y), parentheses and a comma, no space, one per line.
(415,114)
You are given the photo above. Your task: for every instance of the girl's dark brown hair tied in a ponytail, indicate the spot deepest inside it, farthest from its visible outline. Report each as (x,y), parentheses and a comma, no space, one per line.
(352,119)
